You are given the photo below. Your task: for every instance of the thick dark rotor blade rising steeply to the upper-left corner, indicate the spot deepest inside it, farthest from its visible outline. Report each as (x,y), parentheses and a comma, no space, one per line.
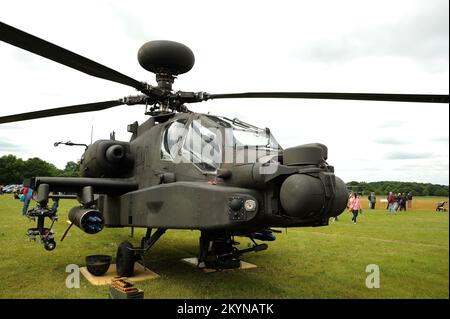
(58,54)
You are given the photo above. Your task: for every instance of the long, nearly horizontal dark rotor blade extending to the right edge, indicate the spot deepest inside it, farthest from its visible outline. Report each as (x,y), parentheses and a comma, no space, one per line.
(426,98)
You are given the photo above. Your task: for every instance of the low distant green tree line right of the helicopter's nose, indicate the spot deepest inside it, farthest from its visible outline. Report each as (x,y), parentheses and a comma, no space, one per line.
(384,187)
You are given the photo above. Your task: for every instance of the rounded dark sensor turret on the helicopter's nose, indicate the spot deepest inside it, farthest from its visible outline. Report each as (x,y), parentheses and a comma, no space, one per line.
(304,196)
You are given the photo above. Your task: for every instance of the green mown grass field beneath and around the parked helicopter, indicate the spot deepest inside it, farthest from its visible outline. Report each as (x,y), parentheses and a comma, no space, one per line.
(411,250)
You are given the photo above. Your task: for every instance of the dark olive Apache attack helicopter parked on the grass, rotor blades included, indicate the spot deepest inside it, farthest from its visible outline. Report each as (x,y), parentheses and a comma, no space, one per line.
(243,185)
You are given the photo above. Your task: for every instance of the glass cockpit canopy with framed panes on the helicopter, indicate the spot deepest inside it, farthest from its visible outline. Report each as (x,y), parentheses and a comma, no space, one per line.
(210,141)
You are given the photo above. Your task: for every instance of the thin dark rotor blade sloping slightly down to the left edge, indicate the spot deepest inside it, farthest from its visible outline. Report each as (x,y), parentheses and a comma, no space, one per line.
(61,111)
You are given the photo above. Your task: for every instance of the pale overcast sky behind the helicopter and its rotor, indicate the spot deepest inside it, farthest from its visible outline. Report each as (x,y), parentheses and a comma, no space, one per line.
(239,46)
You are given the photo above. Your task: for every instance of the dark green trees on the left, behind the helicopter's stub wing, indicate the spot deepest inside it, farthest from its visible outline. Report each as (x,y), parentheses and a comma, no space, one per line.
(14,170)
